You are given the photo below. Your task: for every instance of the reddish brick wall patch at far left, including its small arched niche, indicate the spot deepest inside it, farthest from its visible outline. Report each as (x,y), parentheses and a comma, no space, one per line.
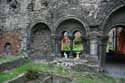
(9,43)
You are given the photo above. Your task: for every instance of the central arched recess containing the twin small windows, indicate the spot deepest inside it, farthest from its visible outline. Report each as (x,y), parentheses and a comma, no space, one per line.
(69,37)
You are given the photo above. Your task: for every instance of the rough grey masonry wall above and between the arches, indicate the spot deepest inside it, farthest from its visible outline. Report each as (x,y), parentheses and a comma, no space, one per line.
(20,15)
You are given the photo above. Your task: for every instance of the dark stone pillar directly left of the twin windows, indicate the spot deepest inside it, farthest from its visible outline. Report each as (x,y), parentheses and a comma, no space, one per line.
(58,46)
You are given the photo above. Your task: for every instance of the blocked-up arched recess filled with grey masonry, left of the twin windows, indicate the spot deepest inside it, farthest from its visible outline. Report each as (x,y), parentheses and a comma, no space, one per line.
(40,40)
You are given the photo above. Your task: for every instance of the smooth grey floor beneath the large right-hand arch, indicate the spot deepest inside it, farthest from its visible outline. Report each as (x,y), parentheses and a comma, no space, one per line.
(115,69)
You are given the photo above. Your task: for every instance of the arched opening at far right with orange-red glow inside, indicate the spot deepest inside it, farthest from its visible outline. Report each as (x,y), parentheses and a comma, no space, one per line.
(115,49)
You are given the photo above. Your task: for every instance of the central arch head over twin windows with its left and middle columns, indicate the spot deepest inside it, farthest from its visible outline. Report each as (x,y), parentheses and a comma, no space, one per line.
(70,25)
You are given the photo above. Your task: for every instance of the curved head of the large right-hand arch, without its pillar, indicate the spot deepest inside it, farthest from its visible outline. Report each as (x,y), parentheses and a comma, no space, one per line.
(117,14)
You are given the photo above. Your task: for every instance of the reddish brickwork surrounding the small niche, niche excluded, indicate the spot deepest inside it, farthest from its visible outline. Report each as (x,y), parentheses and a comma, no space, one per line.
(11,38)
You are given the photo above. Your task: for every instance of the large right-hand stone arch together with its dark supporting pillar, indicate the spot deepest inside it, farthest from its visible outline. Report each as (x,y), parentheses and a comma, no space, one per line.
(114,19)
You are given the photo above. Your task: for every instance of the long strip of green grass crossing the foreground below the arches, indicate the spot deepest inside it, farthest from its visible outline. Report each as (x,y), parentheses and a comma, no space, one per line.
(59,71)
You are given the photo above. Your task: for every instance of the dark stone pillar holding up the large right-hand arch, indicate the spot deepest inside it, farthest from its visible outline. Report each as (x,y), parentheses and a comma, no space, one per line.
(102,51)
